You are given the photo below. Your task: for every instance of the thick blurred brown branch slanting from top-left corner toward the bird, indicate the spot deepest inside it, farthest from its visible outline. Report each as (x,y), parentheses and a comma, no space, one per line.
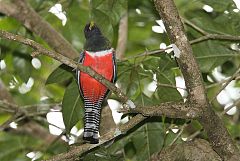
(24,13)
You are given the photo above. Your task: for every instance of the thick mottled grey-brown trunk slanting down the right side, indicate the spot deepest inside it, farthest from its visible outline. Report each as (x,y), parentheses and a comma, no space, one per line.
(213,125)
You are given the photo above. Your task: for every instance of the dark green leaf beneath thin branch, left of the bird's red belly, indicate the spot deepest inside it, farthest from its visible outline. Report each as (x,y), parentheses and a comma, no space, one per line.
(60,74)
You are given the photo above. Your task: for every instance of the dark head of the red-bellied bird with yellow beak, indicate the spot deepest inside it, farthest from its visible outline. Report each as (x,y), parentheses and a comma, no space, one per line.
(91,29)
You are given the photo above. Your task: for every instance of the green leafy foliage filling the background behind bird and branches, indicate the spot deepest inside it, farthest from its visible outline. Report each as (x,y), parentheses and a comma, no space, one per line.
(134,74)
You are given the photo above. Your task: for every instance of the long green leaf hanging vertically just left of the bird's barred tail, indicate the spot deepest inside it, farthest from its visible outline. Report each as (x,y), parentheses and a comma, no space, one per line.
(72,106)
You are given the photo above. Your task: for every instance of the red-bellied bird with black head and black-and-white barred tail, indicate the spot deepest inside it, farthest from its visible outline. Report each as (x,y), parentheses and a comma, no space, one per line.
(100,56)
